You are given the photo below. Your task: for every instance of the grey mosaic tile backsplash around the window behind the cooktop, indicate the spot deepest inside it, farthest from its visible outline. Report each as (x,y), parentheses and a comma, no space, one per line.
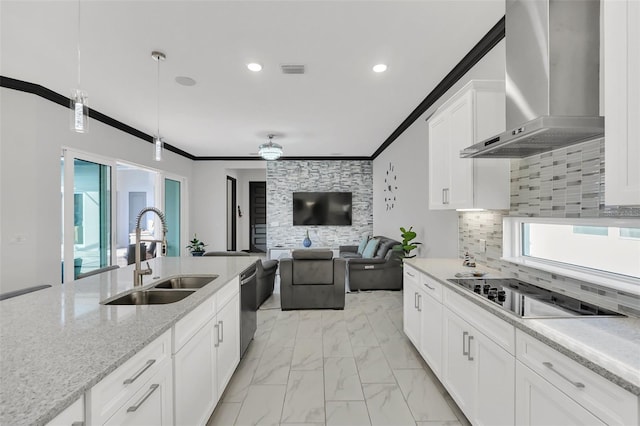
(567,182)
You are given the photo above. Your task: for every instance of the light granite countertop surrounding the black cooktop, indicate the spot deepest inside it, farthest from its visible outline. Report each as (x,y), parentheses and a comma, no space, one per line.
(608,346)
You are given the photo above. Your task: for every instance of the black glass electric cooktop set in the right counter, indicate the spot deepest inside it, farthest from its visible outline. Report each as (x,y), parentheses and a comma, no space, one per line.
(529,301)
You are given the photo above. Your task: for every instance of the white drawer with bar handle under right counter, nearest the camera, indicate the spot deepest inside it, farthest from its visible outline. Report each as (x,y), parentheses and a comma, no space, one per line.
(604,399)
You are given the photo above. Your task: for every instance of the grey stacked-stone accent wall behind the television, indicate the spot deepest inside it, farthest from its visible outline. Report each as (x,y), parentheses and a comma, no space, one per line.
(286,177)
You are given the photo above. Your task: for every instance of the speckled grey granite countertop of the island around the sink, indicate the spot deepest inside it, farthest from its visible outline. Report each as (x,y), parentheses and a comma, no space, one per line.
(57,343)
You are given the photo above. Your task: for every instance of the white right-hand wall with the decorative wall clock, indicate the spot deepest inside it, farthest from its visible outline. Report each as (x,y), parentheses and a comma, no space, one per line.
(437,230)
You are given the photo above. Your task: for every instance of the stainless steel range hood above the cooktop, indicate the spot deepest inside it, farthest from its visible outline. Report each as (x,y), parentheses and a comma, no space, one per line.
(552,78)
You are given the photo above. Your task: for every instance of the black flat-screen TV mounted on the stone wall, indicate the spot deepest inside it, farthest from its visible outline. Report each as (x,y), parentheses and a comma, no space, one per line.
(322,208)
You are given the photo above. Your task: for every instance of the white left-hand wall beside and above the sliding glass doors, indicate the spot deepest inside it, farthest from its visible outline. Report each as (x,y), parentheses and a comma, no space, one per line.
(32,133)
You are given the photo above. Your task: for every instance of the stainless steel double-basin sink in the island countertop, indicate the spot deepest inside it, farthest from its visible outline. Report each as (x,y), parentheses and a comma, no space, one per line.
(167,291)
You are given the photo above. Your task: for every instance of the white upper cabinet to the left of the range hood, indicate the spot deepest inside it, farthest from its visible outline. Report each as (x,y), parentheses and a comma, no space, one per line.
(473,114)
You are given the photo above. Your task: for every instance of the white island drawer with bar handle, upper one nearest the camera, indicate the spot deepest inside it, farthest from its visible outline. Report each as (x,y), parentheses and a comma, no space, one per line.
(114,390)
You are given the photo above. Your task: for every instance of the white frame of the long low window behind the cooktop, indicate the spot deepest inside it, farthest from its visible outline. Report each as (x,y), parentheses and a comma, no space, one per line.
(512,251)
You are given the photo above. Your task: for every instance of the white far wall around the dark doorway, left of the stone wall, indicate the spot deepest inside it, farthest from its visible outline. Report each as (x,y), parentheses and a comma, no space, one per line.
(209,199)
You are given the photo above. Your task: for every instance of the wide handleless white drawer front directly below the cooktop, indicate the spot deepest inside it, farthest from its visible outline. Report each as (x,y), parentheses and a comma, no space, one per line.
(498,330)
